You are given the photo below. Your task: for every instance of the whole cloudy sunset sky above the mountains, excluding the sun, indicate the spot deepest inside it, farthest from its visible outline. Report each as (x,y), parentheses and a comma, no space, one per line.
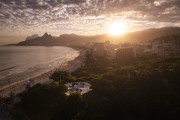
(20,18)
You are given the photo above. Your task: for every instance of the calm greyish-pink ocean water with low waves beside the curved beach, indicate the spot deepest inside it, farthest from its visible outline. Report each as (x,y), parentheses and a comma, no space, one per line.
(22,62)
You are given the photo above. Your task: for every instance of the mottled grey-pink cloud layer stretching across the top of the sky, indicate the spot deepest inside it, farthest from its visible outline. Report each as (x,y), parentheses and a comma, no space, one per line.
(39,12)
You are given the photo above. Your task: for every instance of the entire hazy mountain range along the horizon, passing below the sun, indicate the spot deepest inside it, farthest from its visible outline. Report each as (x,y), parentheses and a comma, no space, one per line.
(73,40)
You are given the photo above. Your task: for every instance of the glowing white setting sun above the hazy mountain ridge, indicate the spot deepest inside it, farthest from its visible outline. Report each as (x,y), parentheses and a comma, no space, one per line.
(116,29)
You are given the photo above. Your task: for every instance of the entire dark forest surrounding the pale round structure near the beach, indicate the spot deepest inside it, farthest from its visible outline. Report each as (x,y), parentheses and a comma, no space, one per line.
(145,89)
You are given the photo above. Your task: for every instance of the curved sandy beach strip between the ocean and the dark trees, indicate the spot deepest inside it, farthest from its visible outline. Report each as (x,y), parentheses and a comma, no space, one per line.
(20,85)
